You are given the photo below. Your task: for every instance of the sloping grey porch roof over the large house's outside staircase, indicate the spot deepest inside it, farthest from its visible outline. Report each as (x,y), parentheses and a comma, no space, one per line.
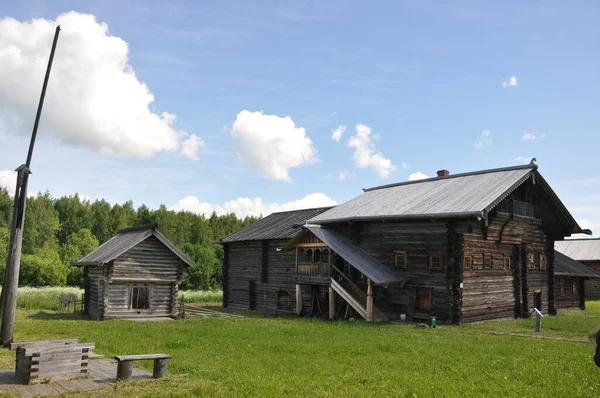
(378,273)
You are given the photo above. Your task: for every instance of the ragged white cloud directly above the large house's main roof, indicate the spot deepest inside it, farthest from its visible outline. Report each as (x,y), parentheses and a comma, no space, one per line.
(365,153)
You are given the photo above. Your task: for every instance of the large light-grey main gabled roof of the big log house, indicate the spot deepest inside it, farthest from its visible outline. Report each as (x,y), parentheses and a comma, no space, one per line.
(463,195)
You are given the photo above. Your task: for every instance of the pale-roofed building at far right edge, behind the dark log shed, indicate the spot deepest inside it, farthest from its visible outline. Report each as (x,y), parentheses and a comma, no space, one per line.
(587,252)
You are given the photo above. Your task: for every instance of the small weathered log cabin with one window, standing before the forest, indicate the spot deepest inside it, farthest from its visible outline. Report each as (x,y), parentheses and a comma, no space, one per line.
(135,274)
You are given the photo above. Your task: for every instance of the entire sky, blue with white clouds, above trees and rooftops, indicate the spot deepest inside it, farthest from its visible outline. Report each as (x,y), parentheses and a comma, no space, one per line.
(255,107)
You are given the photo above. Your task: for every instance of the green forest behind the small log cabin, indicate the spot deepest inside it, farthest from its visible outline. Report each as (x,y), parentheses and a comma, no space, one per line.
(58,232)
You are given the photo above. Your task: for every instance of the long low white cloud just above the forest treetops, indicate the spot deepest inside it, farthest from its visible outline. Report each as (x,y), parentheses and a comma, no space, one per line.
(243,207)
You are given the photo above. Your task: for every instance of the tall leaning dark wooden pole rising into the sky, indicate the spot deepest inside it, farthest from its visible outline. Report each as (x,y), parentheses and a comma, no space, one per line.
(13,262)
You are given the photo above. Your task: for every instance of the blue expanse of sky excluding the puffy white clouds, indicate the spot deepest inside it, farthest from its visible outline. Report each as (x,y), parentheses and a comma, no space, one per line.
(426,77)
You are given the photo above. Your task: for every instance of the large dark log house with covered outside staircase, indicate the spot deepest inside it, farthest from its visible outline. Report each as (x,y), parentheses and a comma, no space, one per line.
(465,247)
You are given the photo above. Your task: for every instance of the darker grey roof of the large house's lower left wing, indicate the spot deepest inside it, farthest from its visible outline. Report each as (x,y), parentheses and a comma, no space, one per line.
(282,225)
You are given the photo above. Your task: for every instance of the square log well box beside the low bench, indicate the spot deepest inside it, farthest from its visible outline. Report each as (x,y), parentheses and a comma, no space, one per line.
(53,360)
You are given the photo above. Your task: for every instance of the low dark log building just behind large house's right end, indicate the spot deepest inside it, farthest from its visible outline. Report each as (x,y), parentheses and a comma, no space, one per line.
(570,277)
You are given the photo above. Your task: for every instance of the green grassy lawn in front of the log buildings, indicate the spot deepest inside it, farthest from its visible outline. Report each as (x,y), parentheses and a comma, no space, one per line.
(308,357)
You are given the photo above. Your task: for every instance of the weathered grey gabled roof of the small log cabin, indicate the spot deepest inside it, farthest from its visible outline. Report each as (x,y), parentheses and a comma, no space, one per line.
(126,239)
